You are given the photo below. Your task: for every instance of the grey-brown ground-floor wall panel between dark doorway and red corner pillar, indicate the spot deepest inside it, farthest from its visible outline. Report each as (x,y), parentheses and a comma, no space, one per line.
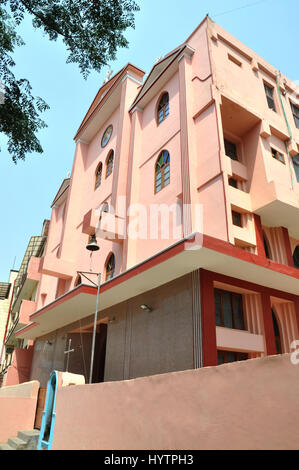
(143,343)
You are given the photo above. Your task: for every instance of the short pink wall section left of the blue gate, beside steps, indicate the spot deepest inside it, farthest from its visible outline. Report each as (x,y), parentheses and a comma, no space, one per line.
(17,408)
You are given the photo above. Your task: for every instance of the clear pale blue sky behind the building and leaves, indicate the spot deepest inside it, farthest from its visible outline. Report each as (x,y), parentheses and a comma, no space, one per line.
(27,189)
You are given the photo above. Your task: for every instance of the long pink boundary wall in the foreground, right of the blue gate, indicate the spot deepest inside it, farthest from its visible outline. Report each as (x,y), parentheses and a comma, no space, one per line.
(244,405)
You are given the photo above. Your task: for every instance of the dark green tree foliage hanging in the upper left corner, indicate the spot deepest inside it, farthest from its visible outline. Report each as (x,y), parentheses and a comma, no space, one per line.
(91,30)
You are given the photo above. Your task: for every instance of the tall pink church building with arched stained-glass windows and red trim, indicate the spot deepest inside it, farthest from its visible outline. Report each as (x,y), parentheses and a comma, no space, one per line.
(190,182)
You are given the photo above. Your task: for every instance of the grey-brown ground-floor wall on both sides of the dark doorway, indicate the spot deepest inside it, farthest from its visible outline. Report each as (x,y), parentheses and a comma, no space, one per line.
(139,343)
